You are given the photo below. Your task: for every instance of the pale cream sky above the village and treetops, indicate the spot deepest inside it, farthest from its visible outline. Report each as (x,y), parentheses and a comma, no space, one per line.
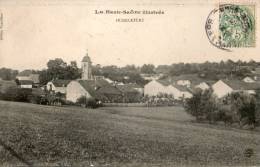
(39,30)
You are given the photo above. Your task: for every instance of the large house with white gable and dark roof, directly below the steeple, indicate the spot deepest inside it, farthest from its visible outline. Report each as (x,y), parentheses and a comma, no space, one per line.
(99,89)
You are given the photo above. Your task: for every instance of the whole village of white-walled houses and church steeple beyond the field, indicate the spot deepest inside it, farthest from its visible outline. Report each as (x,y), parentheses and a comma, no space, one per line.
(158,87)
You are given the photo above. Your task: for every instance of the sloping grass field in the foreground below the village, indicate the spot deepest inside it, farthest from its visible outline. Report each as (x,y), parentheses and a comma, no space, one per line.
(35,135)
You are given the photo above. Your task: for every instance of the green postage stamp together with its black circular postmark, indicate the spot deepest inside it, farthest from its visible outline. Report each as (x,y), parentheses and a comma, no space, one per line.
(231,26)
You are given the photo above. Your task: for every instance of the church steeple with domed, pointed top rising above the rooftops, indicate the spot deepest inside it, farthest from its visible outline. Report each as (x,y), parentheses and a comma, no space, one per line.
(86,68)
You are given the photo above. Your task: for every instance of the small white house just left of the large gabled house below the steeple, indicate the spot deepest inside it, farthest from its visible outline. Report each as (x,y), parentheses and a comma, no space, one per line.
(57,85)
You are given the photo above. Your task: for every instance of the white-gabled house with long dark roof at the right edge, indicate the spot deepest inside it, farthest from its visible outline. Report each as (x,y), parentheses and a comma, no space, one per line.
(223,88)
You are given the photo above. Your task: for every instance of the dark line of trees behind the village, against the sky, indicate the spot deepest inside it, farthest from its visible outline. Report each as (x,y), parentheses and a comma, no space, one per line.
(59,69)
